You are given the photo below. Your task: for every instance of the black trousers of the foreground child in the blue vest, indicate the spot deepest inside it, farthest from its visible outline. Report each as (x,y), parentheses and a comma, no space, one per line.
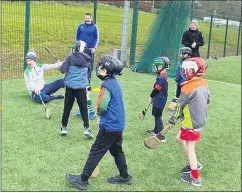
(106,140)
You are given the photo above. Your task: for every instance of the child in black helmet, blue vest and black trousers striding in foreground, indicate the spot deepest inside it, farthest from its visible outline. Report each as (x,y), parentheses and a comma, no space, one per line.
(110,108)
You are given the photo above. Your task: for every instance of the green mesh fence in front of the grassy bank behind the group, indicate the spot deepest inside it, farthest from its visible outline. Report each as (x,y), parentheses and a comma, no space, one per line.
(54,23)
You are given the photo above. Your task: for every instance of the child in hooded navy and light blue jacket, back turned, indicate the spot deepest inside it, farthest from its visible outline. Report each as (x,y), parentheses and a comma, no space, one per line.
(76,81)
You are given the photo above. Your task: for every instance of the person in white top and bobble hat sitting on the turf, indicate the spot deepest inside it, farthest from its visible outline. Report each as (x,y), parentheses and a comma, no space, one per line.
(34,80)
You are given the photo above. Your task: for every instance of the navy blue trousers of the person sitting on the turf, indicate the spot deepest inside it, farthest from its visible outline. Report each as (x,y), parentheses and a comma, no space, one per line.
(48,90)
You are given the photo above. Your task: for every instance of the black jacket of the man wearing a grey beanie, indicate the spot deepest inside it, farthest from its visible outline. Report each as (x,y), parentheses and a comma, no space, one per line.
(191,36)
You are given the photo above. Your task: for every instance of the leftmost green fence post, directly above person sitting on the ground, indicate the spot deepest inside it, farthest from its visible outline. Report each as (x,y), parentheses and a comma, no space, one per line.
(27,29)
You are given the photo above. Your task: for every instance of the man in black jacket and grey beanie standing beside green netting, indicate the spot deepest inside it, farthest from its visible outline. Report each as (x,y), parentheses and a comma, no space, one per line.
(193,38)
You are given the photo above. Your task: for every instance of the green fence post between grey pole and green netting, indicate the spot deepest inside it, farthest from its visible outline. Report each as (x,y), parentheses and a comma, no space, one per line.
(134,32)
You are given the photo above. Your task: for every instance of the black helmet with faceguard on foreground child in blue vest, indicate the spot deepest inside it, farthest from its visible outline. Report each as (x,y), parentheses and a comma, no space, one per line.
(113,66)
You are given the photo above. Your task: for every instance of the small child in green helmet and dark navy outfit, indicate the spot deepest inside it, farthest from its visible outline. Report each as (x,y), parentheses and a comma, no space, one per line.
(159,94)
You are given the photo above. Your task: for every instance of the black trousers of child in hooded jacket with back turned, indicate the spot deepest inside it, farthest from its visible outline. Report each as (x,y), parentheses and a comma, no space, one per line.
(80,95)
